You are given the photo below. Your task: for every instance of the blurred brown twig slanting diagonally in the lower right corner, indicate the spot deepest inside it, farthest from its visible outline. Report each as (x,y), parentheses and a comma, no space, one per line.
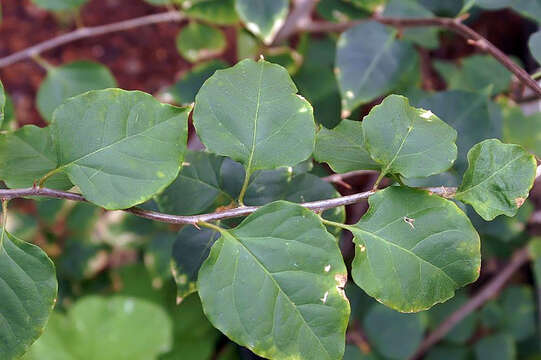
(519,258)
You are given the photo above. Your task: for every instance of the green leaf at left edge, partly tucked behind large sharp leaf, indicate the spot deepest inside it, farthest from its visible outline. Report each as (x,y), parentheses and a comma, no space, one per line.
(26,155)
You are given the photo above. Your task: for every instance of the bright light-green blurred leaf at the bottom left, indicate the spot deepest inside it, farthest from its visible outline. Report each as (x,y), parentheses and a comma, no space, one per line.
(107,329)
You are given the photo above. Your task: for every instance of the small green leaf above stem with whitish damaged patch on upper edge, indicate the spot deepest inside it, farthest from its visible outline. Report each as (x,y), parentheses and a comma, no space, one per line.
(408,141)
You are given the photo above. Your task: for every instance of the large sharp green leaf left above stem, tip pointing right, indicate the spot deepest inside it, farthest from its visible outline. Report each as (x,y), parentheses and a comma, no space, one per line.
(119,147)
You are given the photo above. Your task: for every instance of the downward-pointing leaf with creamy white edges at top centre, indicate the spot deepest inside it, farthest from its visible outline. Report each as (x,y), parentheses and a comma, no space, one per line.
(263,18)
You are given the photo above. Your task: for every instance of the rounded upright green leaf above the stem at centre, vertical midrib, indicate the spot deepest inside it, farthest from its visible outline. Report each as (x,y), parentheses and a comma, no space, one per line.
(237,115)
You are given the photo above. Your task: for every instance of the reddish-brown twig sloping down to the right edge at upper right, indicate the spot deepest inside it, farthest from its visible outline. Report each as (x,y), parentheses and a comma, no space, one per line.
(454,25)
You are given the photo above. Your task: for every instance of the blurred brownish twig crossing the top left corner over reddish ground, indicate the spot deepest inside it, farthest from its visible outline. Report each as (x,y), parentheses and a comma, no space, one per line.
(85,32)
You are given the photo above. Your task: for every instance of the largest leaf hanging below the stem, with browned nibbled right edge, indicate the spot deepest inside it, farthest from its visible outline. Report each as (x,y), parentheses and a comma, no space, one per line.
(283,253)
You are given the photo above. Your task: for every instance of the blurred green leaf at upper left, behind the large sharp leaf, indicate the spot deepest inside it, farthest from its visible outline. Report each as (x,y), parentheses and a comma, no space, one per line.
(69,80)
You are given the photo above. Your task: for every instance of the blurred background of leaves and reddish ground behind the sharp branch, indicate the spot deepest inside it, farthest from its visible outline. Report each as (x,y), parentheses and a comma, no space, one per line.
(108,262)
